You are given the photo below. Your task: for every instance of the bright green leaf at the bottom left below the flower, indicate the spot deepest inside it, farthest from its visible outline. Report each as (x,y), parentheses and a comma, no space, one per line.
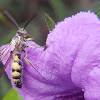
(12,95)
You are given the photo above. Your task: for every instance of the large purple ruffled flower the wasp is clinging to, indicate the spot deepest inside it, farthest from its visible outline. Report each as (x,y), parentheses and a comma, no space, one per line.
(69,65)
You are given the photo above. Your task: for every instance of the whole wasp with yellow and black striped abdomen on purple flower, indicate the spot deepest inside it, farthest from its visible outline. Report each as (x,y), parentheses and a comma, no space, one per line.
(17,45)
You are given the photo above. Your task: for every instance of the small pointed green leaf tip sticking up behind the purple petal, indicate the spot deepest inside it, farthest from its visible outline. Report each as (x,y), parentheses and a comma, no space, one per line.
(50,22)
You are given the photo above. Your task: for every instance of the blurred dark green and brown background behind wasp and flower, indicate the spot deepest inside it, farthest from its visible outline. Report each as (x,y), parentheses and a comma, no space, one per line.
(23,10)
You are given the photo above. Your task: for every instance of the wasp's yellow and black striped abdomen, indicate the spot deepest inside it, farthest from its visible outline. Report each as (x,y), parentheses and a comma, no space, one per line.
(17,70)
